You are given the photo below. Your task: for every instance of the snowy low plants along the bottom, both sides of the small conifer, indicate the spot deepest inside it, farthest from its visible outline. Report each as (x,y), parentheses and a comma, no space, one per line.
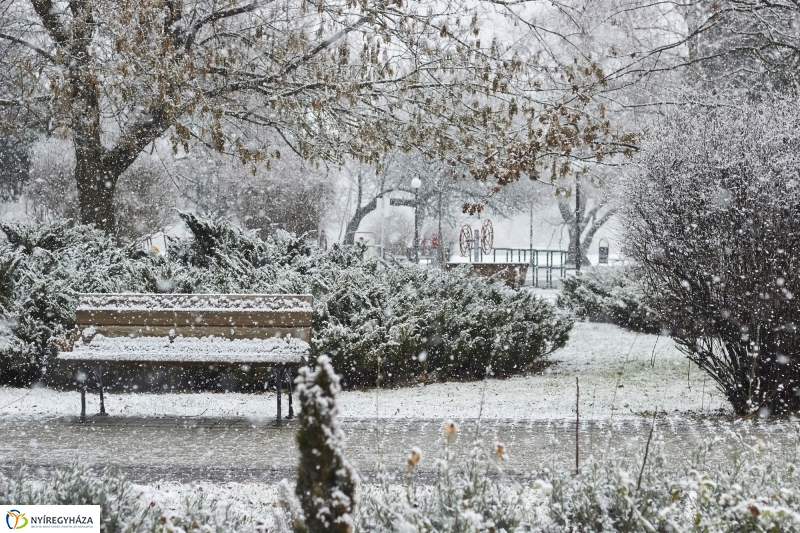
(754,489)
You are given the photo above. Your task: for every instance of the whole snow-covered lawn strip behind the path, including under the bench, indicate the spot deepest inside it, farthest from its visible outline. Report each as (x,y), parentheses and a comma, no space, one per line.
(621,375)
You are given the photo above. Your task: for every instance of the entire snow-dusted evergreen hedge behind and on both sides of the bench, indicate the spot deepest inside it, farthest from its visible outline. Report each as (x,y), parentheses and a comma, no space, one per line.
(369,315)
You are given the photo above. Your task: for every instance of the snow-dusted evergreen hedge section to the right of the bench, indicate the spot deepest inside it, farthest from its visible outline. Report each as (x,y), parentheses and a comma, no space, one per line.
(418,323)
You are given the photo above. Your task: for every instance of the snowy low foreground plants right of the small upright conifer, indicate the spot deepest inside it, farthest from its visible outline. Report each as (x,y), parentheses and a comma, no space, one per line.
(756,491)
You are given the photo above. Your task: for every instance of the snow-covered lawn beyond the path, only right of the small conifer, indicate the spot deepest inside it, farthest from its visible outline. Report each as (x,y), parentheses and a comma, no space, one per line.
(615,376)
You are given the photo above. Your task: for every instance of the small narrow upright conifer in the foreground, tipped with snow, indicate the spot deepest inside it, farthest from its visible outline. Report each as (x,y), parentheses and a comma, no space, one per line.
(325,480)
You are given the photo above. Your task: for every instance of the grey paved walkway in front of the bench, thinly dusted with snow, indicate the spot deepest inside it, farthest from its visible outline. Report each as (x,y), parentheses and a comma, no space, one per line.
(234,449)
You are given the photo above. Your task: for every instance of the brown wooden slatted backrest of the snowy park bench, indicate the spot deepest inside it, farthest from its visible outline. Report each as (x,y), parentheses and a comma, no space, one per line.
(233,316)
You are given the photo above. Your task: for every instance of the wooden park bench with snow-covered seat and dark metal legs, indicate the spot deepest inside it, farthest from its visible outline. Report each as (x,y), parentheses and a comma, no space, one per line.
(190,329)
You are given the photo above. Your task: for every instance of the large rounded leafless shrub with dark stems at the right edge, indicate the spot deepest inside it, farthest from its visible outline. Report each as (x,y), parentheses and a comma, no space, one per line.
(713,221)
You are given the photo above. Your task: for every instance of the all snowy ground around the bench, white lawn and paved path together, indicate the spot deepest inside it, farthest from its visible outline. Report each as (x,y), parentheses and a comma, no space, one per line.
(224,444)
